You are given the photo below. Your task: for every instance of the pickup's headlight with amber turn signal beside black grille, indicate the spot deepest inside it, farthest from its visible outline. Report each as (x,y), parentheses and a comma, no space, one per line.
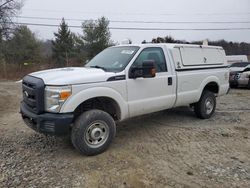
(55,97)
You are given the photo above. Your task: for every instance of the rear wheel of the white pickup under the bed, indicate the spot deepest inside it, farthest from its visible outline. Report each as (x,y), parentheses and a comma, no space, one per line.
(205,107)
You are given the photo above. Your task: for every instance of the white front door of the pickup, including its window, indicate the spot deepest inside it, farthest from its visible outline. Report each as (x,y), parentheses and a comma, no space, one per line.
(146,95)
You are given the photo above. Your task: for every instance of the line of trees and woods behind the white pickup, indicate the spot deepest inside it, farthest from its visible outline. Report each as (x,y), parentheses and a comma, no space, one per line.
(21,52)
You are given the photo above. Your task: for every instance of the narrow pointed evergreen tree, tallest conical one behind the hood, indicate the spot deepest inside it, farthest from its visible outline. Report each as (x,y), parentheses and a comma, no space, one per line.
(63,45)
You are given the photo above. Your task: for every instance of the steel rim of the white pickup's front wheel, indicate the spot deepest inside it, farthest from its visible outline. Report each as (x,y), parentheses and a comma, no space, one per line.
(97,134)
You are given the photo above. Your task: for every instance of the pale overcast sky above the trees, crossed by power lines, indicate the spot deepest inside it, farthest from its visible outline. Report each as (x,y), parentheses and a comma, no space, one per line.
(145,11)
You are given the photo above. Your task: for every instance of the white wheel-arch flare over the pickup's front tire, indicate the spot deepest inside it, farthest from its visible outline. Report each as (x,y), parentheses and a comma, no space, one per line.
(75,100)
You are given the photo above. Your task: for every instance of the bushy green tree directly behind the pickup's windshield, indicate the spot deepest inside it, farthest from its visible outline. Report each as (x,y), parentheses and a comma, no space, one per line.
(96,36)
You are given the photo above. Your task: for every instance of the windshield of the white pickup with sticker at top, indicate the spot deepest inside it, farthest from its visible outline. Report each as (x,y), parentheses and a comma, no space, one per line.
(113,59)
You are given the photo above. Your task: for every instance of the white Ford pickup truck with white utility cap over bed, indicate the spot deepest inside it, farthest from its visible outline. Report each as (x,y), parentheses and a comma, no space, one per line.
(119,83)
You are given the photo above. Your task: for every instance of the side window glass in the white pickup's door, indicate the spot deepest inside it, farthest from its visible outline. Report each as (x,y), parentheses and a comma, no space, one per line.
(155,54)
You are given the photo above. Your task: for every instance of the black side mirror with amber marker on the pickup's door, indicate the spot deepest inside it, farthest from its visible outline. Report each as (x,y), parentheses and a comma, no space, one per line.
(147,70)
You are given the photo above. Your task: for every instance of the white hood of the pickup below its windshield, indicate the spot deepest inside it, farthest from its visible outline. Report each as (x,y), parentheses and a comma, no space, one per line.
(72,75)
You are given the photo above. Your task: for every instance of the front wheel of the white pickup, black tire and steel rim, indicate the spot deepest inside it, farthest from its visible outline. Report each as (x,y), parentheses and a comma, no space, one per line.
(93,132)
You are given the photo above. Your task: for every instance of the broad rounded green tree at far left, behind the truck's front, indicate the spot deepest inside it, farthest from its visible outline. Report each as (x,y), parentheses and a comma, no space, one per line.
(22,47)
